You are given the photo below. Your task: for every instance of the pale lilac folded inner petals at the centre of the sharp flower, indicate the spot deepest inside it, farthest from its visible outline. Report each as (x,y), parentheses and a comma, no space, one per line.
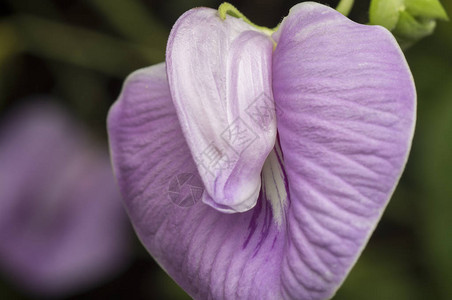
(219,74)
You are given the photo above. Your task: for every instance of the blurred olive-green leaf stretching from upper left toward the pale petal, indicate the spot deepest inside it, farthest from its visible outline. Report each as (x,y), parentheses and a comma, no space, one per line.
(82,47)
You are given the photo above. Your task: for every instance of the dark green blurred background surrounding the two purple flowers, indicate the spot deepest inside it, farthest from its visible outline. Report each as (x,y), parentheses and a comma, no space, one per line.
(78,52)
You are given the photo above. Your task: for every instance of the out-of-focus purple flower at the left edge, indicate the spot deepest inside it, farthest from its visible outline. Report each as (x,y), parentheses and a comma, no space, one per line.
(62,225)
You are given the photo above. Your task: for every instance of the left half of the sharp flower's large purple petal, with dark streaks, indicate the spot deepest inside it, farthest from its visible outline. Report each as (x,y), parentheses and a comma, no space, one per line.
(201,248)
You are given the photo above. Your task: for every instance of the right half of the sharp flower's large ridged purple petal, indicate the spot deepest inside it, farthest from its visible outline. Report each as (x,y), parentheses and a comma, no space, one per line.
(347,110)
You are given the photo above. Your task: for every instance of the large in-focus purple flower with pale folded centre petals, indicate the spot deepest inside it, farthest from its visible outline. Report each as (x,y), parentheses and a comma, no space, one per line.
(293,143)
